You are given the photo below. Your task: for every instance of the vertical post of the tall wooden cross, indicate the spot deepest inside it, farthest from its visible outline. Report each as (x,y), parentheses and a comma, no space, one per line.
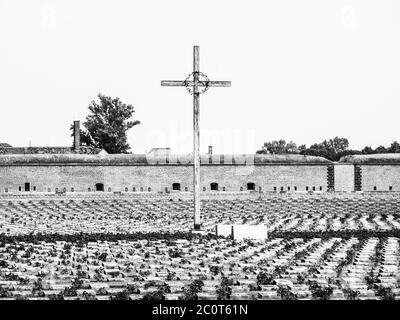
(196,137)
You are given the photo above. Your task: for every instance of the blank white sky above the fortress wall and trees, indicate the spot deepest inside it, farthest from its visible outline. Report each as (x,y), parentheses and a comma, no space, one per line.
(300,70)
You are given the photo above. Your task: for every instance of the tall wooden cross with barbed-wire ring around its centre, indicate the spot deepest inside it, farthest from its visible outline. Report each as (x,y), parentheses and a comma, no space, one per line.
(196,83)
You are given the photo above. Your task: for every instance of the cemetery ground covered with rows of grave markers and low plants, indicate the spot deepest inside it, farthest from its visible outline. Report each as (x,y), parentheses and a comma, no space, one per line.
(320,246)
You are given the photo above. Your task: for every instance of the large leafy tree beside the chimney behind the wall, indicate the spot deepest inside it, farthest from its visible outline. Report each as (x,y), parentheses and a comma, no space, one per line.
(107,125)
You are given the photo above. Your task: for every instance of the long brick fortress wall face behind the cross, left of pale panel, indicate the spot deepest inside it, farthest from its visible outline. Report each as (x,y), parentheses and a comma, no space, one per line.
(232,177)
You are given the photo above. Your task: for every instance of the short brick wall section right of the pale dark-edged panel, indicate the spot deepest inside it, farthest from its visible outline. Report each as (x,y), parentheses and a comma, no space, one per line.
(381,176)
